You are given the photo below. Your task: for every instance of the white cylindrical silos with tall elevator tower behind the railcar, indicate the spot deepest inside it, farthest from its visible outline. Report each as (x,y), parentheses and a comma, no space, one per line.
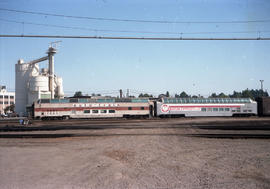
(33,83)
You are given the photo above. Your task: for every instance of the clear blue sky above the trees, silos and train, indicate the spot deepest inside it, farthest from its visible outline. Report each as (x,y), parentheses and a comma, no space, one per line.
(105,66)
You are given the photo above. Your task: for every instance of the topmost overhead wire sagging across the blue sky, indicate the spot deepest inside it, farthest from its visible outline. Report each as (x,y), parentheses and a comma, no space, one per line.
(136,20)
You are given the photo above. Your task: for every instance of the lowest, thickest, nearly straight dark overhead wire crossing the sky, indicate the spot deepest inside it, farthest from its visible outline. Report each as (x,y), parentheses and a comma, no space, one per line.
(131,38)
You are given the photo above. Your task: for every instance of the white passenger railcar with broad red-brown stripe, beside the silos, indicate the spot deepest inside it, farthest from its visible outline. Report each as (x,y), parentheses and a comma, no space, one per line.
(91,108)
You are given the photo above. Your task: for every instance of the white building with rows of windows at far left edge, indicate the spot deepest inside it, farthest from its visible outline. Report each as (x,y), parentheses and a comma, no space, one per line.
(6,98)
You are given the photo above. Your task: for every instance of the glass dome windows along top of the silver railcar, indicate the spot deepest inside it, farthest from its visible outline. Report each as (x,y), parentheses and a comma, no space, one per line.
(205,100)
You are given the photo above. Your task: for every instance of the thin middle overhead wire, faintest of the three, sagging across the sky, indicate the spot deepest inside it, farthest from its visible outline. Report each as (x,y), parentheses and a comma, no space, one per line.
(129,31)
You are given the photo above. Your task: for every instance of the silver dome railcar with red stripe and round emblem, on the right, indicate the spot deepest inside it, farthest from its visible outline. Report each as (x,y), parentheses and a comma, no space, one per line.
(191,107)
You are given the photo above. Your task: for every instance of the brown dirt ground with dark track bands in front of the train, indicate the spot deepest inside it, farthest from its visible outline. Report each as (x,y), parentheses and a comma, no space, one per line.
(161,153)
